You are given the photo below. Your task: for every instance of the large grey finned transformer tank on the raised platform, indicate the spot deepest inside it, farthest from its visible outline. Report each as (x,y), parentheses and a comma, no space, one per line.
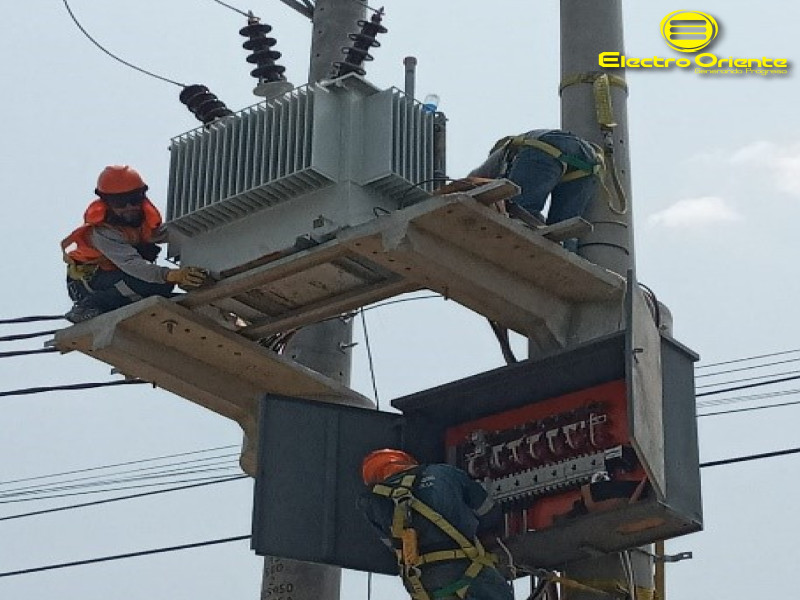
(295,169)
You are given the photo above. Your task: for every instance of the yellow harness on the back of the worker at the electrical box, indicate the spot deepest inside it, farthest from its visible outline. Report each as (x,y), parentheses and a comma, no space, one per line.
(406,544)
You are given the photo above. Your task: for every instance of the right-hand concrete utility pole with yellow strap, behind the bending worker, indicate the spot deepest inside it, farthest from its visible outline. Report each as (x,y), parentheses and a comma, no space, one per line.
(589,27)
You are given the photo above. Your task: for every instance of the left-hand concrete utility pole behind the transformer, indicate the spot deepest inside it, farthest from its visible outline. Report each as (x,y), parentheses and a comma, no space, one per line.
(324,347)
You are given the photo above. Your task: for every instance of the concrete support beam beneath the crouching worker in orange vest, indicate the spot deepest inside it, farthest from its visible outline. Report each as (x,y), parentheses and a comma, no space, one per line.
(190,355)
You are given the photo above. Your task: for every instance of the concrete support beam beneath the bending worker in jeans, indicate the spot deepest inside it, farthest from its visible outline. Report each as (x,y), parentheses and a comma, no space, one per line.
(491,264)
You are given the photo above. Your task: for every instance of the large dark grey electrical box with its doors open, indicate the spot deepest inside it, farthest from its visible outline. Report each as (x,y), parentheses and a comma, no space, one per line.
(591,450)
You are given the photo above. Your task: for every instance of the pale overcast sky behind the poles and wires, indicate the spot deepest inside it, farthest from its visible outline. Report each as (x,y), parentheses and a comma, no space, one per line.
(716,171)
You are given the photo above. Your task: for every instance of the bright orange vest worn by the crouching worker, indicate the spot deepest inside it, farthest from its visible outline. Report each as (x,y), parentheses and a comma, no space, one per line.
(78,248)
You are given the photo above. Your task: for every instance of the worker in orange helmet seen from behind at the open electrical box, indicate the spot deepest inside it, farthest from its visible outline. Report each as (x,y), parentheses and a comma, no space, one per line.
(431,516)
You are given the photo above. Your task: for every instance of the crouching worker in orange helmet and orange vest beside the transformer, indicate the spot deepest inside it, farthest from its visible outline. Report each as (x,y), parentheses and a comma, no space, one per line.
(111,257)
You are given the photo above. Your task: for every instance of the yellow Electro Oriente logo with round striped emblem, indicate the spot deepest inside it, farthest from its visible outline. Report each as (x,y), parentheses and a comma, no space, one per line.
(689,31)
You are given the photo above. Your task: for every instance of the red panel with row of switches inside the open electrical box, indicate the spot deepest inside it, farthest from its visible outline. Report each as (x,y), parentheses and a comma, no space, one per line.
(547,461)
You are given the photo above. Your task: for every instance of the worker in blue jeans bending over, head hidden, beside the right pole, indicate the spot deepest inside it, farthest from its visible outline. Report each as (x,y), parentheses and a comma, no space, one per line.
(547,162)
